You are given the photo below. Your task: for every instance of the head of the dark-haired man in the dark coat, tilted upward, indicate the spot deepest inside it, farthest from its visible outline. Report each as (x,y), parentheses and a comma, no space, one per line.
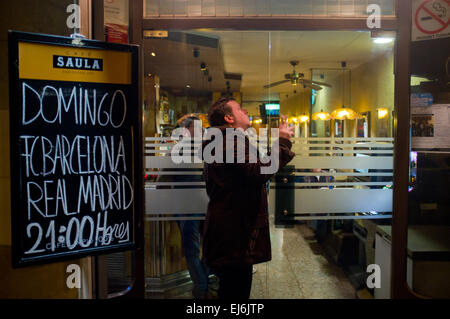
(227,112)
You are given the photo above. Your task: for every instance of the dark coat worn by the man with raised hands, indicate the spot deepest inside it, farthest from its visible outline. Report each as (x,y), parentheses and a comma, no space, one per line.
(236,230)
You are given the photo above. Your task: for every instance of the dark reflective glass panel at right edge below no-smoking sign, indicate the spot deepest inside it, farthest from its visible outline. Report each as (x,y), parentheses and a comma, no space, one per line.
(428,198)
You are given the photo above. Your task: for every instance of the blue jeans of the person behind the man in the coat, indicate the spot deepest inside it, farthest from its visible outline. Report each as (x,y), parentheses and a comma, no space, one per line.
(190,236)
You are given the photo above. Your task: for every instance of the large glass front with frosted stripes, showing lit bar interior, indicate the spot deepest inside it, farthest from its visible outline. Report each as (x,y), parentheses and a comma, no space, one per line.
(307,76)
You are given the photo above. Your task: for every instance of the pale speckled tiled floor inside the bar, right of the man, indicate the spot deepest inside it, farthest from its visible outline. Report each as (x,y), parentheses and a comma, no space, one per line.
(299,269)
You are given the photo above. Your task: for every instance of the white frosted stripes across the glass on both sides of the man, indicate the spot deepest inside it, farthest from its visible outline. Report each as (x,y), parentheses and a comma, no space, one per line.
(355,181)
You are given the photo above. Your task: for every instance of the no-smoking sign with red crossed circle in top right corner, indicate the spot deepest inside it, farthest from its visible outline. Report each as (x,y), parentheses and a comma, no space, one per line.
(431,19)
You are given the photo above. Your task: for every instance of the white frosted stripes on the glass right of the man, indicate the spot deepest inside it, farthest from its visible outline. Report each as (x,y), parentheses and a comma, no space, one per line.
(352,179)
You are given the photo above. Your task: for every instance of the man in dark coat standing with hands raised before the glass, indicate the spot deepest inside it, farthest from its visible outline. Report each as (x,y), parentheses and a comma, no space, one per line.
(236,232)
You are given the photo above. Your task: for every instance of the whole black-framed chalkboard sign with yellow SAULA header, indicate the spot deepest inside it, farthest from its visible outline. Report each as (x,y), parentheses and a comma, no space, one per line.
(75,148)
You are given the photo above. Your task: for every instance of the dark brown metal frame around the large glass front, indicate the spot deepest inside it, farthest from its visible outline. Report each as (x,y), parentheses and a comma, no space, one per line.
(401,23)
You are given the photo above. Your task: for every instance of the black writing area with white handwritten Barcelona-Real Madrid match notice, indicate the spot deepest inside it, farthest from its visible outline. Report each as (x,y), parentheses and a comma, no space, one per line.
(76,167)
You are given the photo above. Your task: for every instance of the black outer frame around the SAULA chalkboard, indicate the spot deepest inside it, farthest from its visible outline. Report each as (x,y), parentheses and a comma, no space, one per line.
(17,202)
